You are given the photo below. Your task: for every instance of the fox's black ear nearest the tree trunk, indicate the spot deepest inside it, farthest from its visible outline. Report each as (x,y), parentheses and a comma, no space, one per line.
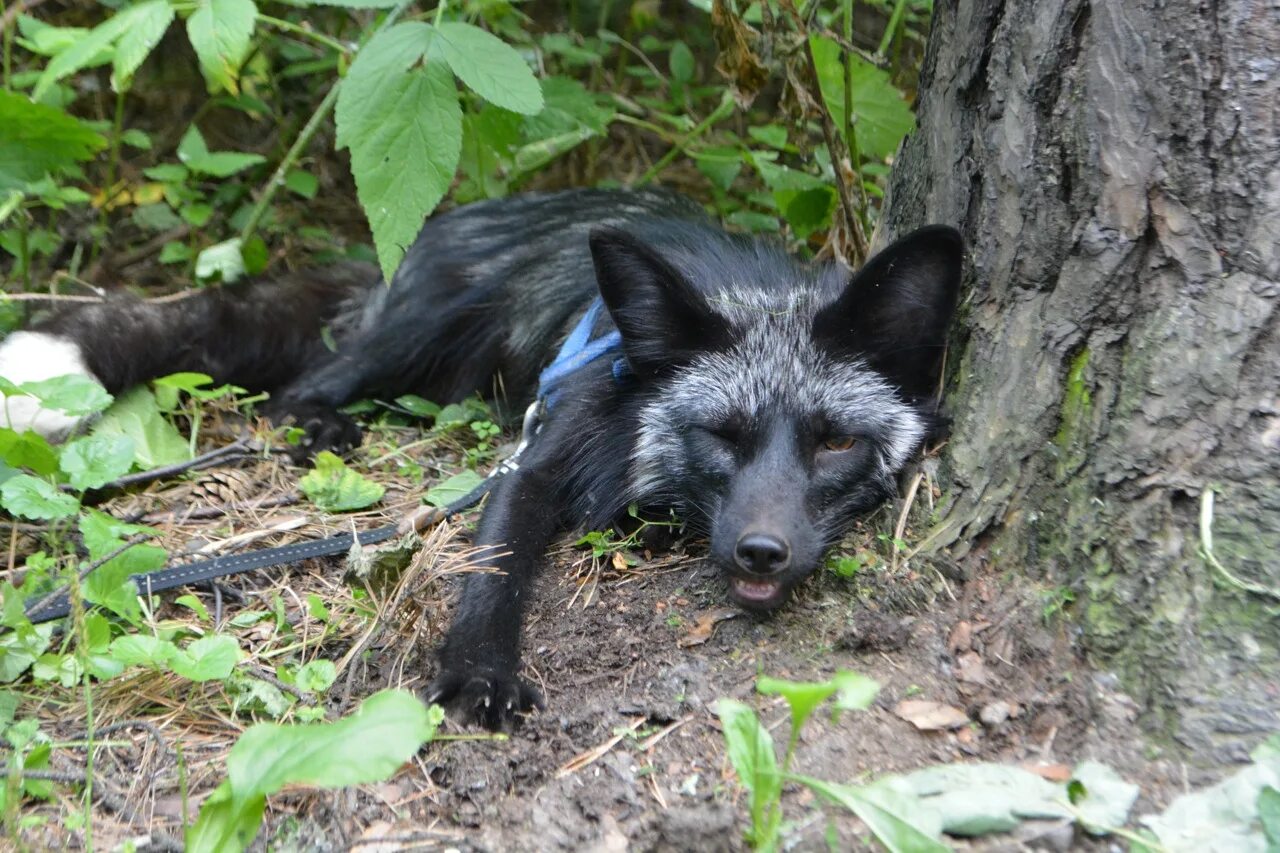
(897,311)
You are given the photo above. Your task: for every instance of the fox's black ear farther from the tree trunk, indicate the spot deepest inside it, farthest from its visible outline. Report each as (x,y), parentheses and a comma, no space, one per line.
(662,318)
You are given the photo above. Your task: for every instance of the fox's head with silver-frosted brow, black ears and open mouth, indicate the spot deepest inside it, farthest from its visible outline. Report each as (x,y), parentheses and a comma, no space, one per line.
(779,402)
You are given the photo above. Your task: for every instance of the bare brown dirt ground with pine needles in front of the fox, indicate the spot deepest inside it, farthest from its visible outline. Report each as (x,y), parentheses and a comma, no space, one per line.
(628,755)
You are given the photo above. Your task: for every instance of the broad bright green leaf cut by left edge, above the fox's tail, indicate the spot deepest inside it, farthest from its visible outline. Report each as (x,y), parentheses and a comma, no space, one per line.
(38,140)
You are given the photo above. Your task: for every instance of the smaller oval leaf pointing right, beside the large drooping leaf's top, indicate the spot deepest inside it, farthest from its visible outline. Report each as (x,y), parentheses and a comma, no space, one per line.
(490,67)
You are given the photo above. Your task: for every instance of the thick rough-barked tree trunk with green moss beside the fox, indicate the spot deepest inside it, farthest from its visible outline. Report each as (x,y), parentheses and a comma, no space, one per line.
(1116,167)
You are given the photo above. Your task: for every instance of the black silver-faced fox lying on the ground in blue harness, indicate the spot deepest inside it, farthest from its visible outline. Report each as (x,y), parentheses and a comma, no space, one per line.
(767,402)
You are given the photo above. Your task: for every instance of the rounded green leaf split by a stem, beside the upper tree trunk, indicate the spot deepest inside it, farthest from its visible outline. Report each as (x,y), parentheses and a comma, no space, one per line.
(883,116)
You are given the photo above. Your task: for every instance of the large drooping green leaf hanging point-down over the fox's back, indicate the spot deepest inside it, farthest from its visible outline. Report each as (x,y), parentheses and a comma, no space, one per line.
(391,115)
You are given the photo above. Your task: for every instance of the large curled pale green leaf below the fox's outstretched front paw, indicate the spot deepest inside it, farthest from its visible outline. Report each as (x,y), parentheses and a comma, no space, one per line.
(369,746)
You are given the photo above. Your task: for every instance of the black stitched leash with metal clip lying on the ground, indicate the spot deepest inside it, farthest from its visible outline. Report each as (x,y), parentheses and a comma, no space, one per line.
(43,609)
